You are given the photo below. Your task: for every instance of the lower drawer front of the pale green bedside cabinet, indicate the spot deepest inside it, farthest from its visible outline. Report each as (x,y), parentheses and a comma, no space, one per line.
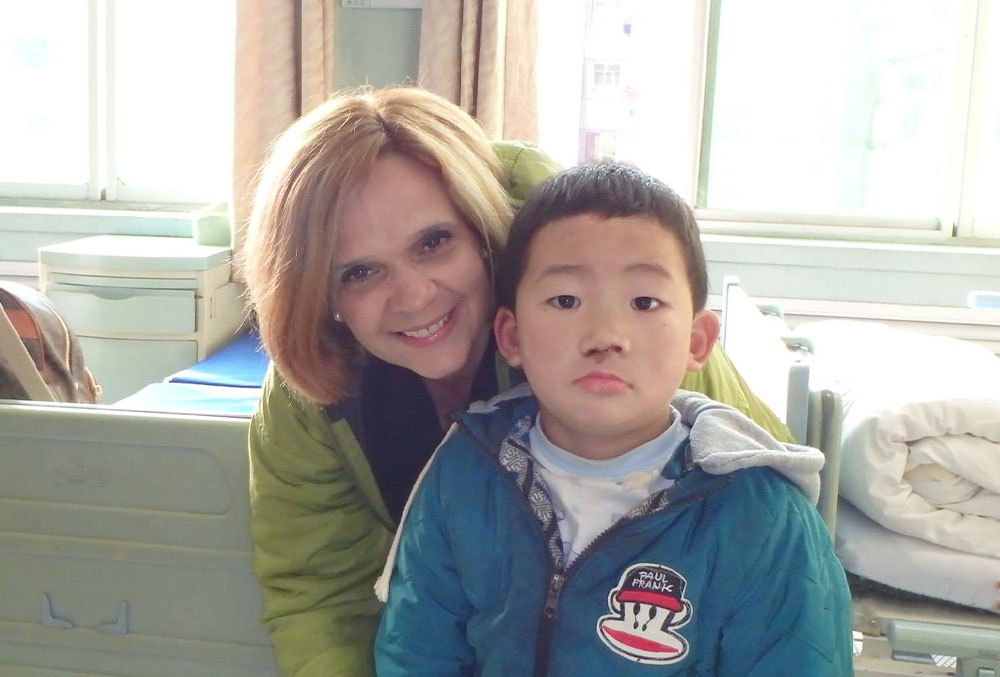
(123,366)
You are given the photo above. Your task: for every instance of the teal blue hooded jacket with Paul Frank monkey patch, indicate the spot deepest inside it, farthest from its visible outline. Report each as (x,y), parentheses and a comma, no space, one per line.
(721,574)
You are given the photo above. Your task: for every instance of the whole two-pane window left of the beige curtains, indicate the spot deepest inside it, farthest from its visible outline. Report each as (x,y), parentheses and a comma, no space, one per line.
(117,100)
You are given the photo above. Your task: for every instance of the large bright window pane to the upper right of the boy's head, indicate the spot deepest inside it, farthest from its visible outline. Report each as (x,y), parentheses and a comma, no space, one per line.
(839,107)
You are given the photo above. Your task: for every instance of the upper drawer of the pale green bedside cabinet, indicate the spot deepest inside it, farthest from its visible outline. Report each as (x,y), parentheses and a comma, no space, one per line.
(125,309)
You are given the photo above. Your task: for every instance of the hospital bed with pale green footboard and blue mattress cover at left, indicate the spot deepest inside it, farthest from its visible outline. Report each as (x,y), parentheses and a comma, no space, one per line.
(124,534)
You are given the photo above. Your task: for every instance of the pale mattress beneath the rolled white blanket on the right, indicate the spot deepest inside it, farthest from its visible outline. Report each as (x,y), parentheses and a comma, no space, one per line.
(907,563)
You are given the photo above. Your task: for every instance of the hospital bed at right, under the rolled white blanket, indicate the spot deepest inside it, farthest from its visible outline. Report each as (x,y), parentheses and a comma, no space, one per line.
(938,632)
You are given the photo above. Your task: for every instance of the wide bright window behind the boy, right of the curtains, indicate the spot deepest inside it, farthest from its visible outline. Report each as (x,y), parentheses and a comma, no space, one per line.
(855,113)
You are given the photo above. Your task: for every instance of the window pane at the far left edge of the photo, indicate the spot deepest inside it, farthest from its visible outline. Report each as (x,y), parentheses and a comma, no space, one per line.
(43,73)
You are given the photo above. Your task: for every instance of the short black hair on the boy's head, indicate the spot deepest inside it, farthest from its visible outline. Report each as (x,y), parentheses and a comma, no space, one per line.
(605,189)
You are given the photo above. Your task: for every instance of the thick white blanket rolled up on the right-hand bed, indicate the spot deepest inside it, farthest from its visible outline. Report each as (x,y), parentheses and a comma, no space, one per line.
(921,433)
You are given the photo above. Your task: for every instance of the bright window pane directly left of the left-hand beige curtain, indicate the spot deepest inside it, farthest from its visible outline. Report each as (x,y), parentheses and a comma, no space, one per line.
(173,91)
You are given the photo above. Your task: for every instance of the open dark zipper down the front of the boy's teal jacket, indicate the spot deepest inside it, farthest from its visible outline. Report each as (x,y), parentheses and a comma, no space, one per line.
(557,578)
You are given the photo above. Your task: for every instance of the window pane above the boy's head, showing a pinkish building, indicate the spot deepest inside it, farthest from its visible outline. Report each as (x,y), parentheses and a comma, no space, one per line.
(616,80)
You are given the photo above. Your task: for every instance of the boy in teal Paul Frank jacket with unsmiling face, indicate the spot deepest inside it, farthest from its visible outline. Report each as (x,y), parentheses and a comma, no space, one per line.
(612,526)
